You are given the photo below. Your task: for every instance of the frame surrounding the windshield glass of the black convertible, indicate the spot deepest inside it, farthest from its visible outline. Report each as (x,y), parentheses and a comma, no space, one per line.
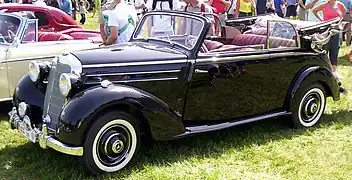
(205,24)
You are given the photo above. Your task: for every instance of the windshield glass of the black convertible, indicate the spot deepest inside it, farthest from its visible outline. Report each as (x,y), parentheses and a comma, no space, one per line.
(174,29)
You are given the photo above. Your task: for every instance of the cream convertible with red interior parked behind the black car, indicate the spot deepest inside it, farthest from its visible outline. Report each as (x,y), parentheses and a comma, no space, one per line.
(20,43)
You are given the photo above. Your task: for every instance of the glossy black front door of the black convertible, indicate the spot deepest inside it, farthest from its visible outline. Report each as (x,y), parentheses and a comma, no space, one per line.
(228,86)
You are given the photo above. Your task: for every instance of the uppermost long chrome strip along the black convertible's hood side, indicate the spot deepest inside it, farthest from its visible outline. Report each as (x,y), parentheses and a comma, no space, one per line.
(134,63)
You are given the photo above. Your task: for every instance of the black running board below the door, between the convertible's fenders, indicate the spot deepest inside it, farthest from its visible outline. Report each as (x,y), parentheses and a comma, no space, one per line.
(207,128)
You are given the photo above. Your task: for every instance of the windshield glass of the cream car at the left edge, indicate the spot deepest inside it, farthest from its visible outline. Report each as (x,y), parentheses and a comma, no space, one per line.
(9,27)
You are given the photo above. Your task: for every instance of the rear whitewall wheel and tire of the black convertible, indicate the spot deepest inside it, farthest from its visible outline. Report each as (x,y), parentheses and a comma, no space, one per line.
(308,105)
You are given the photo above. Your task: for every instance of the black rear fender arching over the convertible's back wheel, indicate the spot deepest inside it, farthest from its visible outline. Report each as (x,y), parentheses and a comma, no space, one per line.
(312,75)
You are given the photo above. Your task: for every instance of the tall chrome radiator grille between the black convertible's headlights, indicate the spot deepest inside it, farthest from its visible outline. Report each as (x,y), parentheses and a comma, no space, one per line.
(54,100)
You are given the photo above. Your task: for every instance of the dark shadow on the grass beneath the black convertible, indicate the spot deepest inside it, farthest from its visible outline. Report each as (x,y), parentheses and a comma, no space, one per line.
(29,161)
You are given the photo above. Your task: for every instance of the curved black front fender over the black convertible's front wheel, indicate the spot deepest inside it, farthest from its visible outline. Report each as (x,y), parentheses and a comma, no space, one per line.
(82,110)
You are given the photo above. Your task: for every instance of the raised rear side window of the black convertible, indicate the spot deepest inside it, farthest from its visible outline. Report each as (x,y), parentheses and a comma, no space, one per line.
(281,35)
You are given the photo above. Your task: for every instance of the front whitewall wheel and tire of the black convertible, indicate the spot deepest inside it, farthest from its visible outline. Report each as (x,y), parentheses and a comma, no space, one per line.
(111,142)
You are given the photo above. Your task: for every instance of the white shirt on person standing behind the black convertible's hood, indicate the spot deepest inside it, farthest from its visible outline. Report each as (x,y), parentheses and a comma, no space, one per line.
(120,17)
